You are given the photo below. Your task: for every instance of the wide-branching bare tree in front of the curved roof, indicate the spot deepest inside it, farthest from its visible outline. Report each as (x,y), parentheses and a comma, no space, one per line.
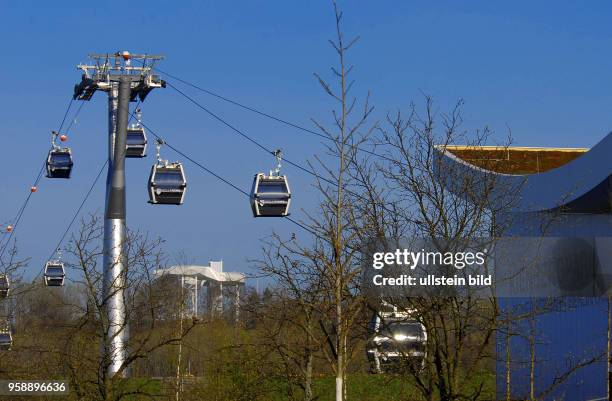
(404,195)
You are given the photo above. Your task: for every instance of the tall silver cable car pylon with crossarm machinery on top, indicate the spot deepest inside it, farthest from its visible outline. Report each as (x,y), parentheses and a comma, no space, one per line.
(124,83)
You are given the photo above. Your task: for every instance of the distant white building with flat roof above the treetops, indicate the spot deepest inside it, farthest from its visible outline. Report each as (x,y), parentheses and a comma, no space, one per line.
(210,281)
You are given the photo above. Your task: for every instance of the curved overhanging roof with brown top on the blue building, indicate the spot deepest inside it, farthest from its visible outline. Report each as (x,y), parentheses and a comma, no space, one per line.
(577,179)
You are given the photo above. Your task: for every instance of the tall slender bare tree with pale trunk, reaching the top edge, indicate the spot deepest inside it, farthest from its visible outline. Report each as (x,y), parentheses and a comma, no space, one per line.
(335,253)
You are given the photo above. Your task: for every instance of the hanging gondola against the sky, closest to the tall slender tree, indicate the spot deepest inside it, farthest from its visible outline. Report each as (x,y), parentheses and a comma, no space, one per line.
(270,194)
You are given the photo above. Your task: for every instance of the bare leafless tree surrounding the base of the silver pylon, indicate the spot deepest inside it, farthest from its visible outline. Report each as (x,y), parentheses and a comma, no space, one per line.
(148,331)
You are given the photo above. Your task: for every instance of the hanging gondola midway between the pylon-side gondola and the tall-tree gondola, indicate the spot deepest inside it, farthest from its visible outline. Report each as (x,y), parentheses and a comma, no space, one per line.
(167,182)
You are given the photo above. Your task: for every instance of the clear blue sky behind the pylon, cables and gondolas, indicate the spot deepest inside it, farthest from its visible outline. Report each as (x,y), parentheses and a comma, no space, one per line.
(542,68)
